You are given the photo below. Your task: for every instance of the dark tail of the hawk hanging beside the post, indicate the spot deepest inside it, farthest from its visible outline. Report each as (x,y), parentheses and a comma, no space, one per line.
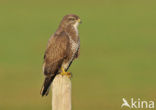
(46,85)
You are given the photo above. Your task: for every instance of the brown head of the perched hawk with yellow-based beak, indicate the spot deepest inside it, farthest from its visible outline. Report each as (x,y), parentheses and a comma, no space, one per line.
(70,20)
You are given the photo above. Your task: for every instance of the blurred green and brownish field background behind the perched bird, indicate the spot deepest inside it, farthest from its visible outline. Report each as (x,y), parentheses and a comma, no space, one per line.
(118,52)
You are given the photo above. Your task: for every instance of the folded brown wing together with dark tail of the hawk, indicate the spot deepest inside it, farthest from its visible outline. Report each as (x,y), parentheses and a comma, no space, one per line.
(56,52)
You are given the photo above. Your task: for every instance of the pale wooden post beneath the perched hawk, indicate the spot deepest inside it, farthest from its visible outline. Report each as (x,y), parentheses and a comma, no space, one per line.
(61,93)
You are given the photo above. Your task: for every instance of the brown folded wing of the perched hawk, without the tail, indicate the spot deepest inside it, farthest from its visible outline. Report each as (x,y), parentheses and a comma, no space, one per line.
(55,53)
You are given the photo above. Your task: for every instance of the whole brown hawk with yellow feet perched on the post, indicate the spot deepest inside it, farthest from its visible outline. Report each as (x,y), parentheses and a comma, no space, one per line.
(63,47)
